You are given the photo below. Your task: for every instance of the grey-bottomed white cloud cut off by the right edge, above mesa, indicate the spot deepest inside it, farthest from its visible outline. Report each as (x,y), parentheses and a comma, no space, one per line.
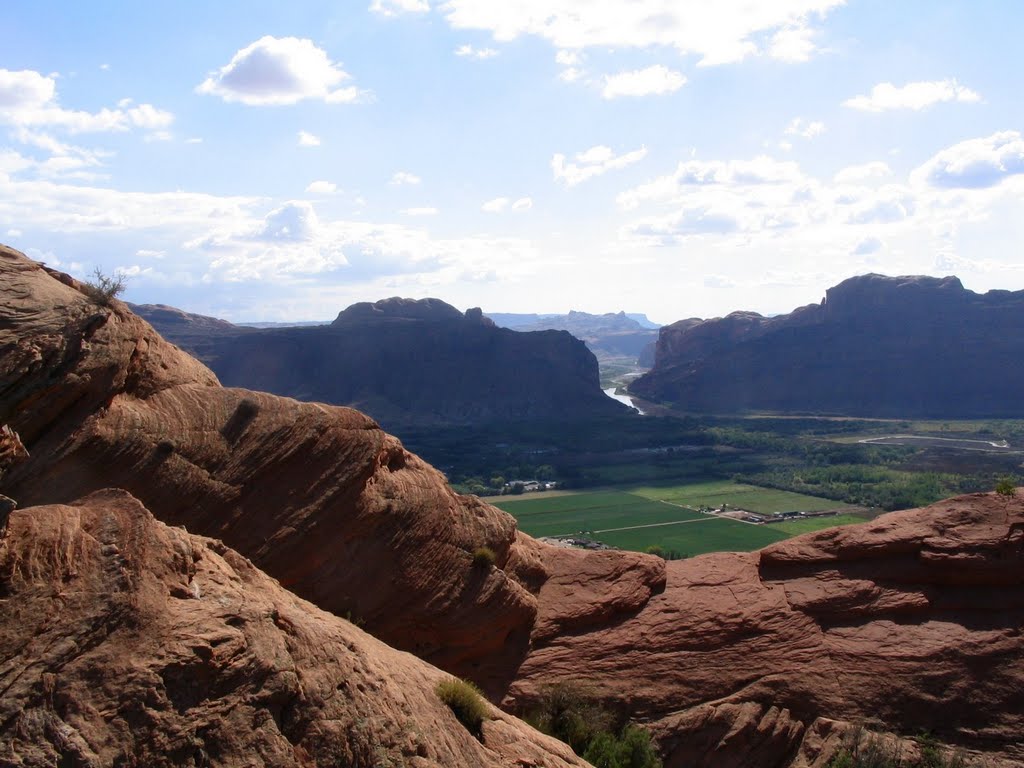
(976,163)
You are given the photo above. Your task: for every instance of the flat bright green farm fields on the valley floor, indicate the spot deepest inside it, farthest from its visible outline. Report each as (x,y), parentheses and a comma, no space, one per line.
(659,517)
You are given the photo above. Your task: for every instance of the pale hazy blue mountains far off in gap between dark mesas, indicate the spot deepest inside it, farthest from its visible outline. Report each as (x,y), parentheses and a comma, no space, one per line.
(611,335)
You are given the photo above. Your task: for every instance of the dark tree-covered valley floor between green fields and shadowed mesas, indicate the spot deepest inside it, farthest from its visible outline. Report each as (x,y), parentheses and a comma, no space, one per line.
(816,456)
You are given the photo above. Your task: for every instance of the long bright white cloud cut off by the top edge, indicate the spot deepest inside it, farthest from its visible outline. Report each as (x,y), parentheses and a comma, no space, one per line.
(723,32)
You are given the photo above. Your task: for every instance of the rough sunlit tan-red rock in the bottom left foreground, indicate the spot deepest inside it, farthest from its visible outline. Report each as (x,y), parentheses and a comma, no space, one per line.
(127,643)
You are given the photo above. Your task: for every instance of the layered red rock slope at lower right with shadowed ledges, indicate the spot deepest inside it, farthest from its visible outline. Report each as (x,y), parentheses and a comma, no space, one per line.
(913,622)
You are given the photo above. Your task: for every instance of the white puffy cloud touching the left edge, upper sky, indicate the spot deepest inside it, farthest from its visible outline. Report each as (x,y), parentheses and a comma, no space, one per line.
(29,100)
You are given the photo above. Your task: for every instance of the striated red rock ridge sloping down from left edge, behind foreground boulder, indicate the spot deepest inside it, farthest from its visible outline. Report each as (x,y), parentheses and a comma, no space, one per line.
(318,496)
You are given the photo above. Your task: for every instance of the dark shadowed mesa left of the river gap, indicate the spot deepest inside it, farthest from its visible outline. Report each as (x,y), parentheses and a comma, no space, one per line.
(404,362)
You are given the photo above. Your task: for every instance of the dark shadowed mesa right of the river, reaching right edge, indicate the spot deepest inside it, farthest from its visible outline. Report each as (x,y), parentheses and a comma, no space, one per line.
(875,347)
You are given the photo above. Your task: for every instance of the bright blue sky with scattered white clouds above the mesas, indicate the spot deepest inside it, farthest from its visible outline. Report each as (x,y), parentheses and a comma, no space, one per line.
(261,161)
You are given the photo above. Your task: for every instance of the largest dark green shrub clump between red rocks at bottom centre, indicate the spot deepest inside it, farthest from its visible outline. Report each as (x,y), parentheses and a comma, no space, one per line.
(599,735)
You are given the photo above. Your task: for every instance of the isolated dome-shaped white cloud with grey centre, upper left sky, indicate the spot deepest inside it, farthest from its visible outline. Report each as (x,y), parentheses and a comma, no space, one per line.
(280,71)
